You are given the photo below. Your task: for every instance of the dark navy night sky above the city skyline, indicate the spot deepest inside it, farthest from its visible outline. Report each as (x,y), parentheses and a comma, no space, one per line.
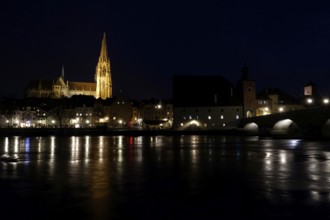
(285,44)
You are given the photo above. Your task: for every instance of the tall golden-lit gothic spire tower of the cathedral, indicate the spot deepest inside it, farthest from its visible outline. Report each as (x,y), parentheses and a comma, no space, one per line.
(103,73)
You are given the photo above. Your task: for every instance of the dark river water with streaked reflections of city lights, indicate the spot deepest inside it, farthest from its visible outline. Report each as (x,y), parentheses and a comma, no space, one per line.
(164,177)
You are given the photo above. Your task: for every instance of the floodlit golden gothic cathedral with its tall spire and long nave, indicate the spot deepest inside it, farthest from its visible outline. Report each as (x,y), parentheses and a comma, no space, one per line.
(59,88)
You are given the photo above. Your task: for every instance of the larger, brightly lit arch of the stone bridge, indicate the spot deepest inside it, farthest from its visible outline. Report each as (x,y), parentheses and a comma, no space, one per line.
(286,127)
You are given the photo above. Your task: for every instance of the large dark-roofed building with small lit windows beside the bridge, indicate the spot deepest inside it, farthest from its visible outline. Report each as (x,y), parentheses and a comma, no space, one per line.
(204,102)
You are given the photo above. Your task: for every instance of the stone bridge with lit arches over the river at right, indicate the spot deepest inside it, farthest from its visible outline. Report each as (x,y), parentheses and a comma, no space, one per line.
(311,122)
